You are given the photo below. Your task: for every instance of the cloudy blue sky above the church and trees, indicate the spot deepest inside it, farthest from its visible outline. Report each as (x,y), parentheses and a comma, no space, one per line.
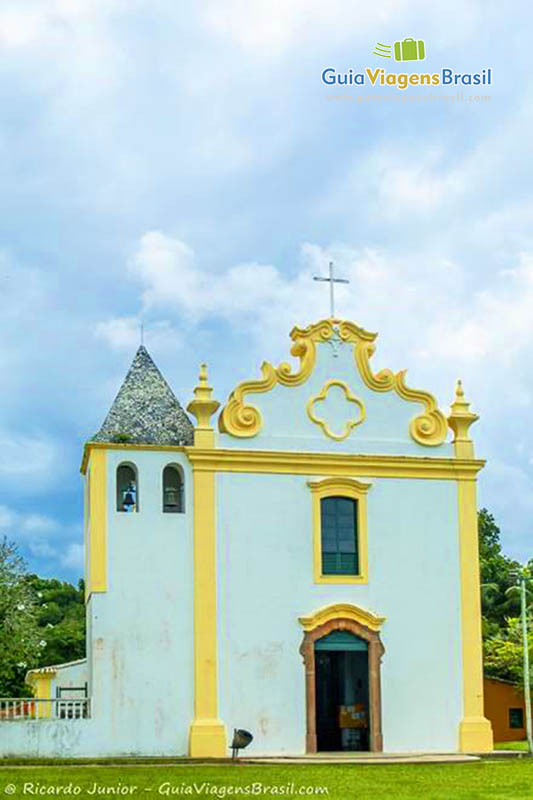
(184,165)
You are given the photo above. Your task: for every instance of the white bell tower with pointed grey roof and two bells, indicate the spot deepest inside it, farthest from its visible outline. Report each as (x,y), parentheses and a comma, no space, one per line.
(139,564)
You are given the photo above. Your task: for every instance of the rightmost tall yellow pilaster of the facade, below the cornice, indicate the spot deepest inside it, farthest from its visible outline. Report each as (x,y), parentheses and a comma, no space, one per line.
(475,731)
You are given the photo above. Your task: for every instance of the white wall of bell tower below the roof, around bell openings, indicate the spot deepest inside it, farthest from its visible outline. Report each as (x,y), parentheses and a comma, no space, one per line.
(142,626)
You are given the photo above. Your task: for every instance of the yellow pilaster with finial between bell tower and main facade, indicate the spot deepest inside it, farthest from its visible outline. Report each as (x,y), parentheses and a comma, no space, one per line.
(207,737)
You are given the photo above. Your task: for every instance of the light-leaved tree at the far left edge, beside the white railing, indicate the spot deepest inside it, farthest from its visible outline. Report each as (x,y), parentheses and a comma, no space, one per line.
(21,642)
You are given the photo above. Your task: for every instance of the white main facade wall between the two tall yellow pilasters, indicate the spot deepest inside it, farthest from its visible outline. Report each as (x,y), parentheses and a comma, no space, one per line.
(266,583)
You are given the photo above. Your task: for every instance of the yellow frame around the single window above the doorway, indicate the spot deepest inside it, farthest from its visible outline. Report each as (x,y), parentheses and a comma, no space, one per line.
(344,487)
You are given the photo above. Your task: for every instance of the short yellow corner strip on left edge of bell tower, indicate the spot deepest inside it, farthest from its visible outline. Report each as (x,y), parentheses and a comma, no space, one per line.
(96,557)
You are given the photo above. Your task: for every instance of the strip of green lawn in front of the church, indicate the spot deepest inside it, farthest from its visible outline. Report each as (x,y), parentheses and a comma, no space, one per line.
(473,781)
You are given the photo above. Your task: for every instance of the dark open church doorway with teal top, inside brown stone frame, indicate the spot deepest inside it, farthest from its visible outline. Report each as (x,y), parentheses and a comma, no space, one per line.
(342,692)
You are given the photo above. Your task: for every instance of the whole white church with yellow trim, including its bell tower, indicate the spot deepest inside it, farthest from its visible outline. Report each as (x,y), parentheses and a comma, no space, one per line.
(302,563)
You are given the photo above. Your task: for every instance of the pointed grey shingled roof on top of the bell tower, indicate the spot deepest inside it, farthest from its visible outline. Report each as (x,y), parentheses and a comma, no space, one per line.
(145,410)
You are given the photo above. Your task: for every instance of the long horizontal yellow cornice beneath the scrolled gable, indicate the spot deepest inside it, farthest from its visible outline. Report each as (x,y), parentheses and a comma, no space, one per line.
(332,464)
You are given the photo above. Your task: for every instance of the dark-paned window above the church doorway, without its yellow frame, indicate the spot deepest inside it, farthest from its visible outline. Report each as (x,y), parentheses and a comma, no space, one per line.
(339,536)
